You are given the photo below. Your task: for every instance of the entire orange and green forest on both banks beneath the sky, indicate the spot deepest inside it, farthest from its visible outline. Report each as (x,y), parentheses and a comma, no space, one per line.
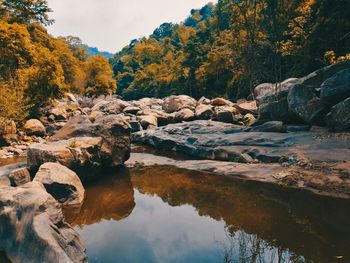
(222,49)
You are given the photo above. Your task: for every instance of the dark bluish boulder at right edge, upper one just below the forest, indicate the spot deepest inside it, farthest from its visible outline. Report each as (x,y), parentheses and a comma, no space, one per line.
(336,88)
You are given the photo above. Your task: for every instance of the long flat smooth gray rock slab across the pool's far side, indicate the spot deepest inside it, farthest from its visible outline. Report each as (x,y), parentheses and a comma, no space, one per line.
(227,142)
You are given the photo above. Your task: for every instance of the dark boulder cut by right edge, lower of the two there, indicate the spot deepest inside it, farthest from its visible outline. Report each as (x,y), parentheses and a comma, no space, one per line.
(339,117)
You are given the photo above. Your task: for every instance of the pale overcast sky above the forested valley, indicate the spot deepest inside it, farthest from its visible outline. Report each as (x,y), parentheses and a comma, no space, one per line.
(111,24)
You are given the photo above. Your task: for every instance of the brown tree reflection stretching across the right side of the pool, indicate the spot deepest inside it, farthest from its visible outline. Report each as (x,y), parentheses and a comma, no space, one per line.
(278,218)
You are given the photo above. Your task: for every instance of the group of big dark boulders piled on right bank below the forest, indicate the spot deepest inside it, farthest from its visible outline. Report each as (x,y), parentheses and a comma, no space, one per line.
(317,99)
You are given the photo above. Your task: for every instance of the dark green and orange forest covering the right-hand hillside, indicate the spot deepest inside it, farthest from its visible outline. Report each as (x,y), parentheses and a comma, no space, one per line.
(228,48)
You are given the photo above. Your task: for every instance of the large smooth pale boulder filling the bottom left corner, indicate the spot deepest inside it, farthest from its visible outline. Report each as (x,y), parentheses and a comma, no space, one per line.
(32,227)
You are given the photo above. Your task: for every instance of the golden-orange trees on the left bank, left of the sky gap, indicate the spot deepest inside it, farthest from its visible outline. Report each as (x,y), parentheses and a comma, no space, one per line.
(36,67)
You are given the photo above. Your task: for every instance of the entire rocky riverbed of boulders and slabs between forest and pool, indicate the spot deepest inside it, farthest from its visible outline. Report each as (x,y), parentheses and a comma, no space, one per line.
(294,134)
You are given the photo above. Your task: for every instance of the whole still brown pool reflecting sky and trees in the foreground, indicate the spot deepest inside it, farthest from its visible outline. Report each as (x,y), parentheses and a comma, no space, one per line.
(165,214)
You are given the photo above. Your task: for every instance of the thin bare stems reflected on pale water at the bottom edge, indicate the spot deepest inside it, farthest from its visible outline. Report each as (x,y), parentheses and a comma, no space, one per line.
(241,247)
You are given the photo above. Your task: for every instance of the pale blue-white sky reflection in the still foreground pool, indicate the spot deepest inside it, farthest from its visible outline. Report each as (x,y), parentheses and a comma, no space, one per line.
(157,232)
